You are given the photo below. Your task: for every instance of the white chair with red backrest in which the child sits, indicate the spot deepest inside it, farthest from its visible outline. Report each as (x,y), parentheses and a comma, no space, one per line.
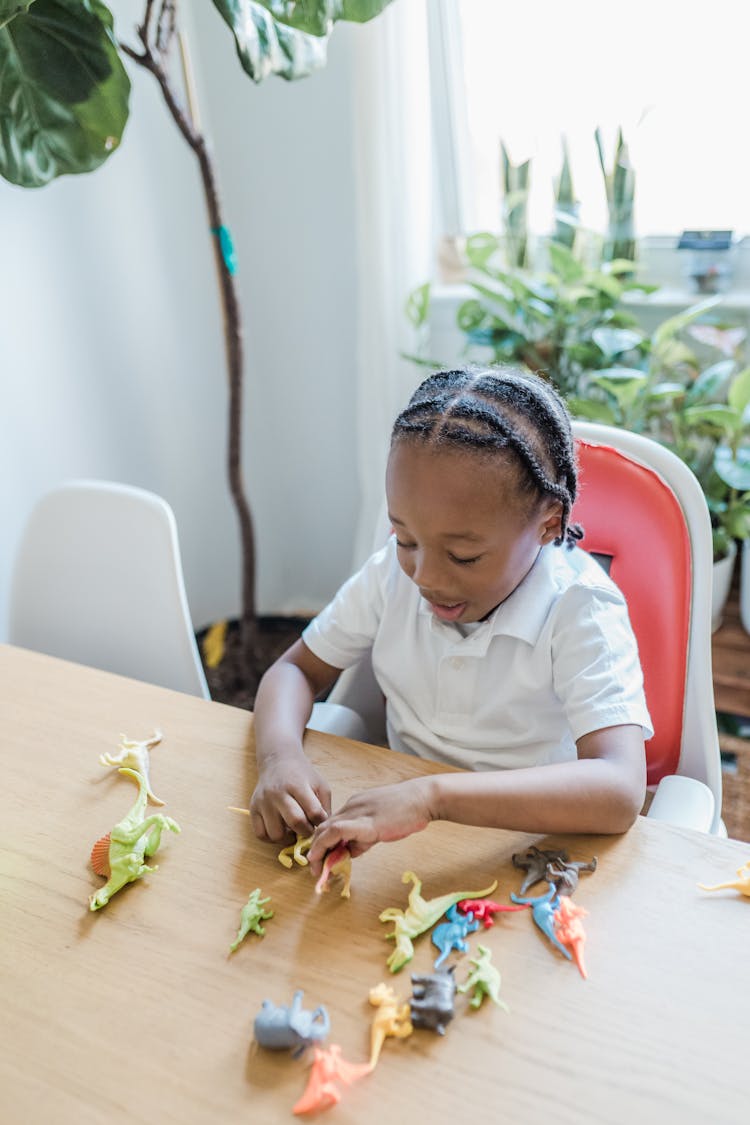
(646,516)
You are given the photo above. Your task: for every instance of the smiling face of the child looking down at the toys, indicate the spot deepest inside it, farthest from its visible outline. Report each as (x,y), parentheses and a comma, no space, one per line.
(465,536)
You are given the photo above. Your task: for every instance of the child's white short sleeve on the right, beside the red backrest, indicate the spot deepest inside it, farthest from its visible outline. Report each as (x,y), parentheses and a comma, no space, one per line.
(595,663)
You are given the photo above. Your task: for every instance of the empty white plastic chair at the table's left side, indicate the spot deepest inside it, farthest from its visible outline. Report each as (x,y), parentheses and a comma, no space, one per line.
(98,581)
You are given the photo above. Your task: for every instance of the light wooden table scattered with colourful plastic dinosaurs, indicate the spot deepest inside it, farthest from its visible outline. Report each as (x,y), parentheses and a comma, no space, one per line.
(138,1014)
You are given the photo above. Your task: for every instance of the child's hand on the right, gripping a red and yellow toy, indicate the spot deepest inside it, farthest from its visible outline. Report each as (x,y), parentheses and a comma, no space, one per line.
(390,813)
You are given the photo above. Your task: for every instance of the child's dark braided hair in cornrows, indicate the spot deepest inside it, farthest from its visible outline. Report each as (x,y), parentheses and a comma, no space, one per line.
(491,409)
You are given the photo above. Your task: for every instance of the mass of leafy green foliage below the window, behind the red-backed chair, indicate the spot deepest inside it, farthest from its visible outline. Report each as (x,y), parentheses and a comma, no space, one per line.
(572,325)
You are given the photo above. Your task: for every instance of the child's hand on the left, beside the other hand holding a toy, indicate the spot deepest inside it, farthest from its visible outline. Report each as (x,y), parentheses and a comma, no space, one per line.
(291,797)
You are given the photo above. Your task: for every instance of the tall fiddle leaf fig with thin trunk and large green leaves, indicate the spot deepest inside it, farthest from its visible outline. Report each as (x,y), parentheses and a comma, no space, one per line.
(65,104)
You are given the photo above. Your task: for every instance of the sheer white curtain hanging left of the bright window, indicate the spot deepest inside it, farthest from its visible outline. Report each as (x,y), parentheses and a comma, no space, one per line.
(393,152)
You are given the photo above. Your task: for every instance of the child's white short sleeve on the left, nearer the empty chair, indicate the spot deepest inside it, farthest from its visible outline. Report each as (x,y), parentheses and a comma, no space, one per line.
(347,628)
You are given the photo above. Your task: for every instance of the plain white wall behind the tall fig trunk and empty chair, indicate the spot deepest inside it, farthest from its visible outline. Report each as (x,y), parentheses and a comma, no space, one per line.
(112,361)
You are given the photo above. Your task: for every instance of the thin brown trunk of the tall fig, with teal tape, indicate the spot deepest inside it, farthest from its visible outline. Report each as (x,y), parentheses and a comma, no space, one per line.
(152,59)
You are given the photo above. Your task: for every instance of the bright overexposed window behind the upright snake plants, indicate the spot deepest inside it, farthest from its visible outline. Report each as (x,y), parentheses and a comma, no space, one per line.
(672,74)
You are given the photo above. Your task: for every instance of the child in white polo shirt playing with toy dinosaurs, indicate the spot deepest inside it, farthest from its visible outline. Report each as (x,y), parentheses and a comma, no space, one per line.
(500,645)
